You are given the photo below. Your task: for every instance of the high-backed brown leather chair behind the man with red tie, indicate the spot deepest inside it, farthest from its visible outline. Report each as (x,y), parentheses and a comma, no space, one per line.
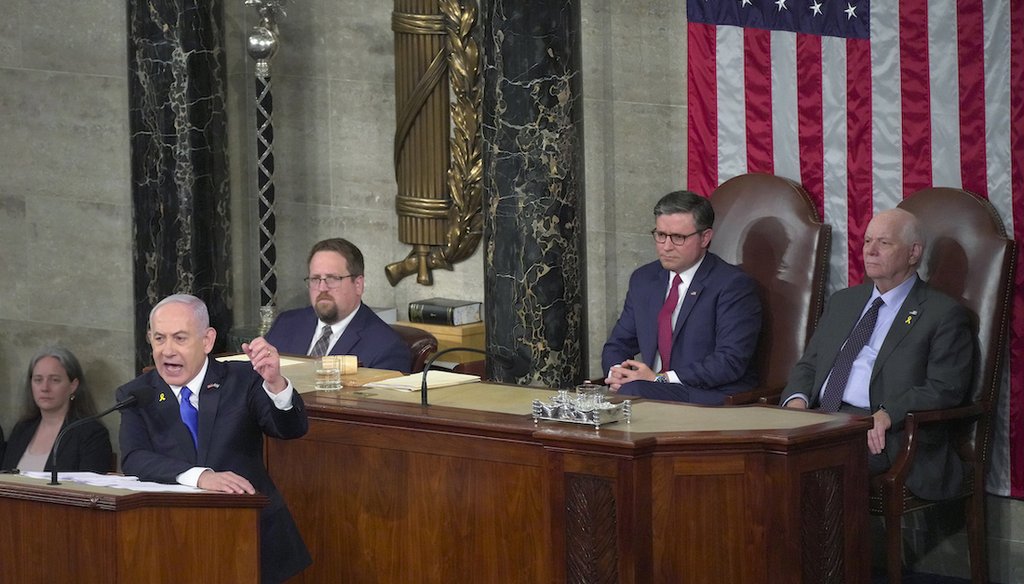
(769,226)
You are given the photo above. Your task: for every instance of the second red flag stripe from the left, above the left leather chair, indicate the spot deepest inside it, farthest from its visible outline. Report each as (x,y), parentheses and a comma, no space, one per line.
(757,93)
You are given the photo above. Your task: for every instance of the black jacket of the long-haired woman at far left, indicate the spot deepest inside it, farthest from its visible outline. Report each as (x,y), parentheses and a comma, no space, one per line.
(84,448)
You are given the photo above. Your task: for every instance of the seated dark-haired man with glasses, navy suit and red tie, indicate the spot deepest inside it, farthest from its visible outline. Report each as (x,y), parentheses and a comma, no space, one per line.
(693,318)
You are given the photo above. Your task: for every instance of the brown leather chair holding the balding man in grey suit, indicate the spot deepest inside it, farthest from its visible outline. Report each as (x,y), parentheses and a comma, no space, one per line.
(969,258)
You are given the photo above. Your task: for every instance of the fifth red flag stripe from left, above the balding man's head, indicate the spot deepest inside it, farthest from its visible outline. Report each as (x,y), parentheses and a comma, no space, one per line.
(916,96)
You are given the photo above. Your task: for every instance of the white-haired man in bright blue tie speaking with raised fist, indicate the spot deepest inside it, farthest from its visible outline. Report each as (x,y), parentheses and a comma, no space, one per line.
(221,447)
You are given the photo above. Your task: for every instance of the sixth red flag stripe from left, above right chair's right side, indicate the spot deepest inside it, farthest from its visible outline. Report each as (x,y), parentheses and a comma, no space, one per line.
(971,56)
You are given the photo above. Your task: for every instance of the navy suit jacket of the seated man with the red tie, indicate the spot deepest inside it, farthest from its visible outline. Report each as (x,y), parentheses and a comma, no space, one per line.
(714,341)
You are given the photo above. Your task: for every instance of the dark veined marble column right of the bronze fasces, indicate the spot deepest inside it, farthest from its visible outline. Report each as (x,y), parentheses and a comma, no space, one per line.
(534,190)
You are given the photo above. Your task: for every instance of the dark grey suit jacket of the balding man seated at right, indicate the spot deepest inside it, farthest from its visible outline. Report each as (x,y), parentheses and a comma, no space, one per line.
(925,363)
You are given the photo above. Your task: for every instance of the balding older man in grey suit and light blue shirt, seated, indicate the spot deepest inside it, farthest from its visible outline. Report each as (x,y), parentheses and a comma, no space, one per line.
(916,353)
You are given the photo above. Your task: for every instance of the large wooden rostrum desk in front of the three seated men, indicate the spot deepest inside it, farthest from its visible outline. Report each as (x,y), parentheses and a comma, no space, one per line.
(471,491)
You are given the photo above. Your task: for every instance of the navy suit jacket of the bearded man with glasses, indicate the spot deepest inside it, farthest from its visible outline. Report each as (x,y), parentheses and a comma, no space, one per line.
(371,340)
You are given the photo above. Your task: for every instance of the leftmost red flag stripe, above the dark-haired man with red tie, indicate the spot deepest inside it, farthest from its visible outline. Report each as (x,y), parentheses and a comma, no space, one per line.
(702,108)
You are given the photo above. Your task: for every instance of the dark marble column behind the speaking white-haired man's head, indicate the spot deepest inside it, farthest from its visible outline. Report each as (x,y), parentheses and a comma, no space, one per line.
(177,74)
